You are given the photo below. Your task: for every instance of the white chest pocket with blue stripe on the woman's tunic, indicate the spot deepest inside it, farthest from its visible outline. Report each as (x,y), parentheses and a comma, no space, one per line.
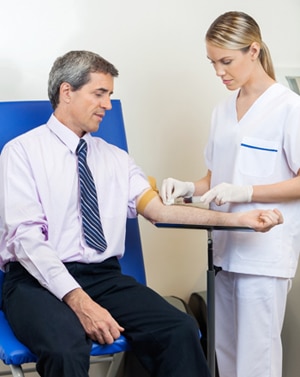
(258,157)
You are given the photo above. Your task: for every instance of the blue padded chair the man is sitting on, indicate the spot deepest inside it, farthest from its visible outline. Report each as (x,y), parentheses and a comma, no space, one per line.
(15,119)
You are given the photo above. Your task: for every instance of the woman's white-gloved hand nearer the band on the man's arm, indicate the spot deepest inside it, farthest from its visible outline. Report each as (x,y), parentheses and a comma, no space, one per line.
(172,188)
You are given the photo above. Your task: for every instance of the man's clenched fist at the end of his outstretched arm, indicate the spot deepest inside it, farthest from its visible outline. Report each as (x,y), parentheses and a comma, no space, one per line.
(260,220)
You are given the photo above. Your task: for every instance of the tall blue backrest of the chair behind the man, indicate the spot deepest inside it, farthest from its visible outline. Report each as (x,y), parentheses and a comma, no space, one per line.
(20,116)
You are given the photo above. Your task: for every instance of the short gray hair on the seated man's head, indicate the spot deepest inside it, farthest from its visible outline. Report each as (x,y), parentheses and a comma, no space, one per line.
(74,68)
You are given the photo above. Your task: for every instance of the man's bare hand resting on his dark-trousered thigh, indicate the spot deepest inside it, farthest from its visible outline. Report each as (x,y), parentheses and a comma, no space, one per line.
(97,322)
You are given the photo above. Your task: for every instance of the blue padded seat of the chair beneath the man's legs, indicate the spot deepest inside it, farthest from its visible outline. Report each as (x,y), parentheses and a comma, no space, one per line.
(14,352)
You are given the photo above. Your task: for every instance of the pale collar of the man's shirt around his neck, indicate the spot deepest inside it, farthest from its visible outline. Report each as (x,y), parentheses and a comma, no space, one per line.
(67,136)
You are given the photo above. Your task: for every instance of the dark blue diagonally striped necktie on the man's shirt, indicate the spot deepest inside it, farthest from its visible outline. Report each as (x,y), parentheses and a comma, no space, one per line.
(91,222)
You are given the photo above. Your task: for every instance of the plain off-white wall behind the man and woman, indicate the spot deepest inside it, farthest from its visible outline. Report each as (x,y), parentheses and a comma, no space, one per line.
(166,85)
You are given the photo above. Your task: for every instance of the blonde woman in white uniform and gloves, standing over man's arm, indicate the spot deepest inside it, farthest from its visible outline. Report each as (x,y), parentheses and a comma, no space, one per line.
(253,161)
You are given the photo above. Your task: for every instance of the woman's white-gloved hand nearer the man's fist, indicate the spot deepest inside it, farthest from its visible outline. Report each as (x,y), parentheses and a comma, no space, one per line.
(228,193)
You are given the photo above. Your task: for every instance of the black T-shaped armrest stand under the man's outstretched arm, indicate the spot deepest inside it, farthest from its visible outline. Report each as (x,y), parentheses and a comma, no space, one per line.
(211,353)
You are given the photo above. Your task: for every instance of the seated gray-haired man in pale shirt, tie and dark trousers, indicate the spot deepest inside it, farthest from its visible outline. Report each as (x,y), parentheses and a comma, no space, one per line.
(59,292)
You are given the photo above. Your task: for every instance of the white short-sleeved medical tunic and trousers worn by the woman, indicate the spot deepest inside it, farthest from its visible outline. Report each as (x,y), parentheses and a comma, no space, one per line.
(262,148)
